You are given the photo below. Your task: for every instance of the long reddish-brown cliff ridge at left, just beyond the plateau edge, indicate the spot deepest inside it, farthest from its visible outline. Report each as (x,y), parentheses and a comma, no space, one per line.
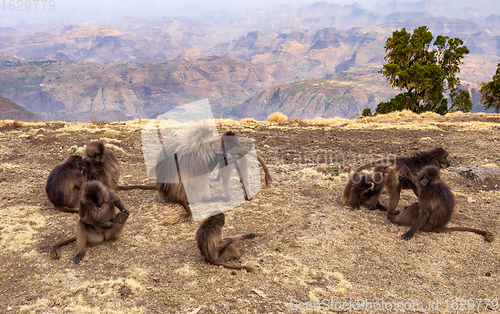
(78,92)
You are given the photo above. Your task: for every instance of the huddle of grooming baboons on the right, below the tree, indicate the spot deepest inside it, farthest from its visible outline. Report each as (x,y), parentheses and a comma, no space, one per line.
(421,173)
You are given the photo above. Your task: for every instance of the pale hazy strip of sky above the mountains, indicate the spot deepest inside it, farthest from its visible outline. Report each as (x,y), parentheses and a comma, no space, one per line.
(109,9)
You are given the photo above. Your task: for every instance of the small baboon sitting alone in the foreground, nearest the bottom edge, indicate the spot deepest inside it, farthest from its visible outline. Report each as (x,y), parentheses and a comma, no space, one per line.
(217,250)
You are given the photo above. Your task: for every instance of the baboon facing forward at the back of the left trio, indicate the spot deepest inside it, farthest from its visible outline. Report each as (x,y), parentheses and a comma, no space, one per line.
(101,164)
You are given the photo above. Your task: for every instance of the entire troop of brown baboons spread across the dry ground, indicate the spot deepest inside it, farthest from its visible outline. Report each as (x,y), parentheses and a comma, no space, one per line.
(87,185)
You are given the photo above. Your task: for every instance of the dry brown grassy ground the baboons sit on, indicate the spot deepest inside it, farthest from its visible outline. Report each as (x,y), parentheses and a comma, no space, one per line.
(311,246)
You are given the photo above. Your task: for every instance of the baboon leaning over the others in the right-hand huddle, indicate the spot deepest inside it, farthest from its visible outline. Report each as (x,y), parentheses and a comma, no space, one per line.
(410,166)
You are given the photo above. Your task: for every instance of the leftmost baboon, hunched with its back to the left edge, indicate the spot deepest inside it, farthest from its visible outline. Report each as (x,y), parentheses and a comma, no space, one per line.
(63,184)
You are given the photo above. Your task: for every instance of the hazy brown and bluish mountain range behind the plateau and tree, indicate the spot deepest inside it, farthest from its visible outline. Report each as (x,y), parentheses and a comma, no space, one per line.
(244,62)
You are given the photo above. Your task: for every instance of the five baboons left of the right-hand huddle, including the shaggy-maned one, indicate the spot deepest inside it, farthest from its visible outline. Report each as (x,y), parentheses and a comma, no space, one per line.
(87,185)
